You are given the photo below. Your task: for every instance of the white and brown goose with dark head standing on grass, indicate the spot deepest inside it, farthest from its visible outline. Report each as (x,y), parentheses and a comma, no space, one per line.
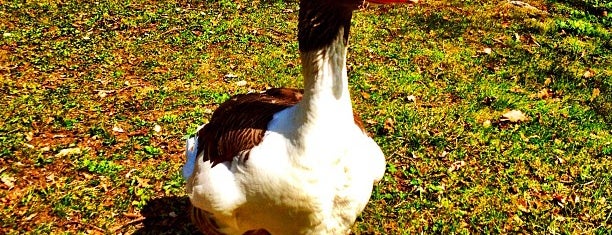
(288,161)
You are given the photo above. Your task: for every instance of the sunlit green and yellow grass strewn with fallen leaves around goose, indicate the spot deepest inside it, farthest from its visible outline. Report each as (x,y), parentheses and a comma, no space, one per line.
(118,85)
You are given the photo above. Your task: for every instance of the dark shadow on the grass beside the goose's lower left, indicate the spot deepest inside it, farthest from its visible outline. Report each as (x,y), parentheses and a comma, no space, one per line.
(167,215)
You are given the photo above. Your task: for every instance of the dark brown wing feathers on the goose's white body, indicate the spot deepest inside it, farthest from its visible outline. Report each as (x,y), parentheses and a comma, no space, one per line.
(239,124)
